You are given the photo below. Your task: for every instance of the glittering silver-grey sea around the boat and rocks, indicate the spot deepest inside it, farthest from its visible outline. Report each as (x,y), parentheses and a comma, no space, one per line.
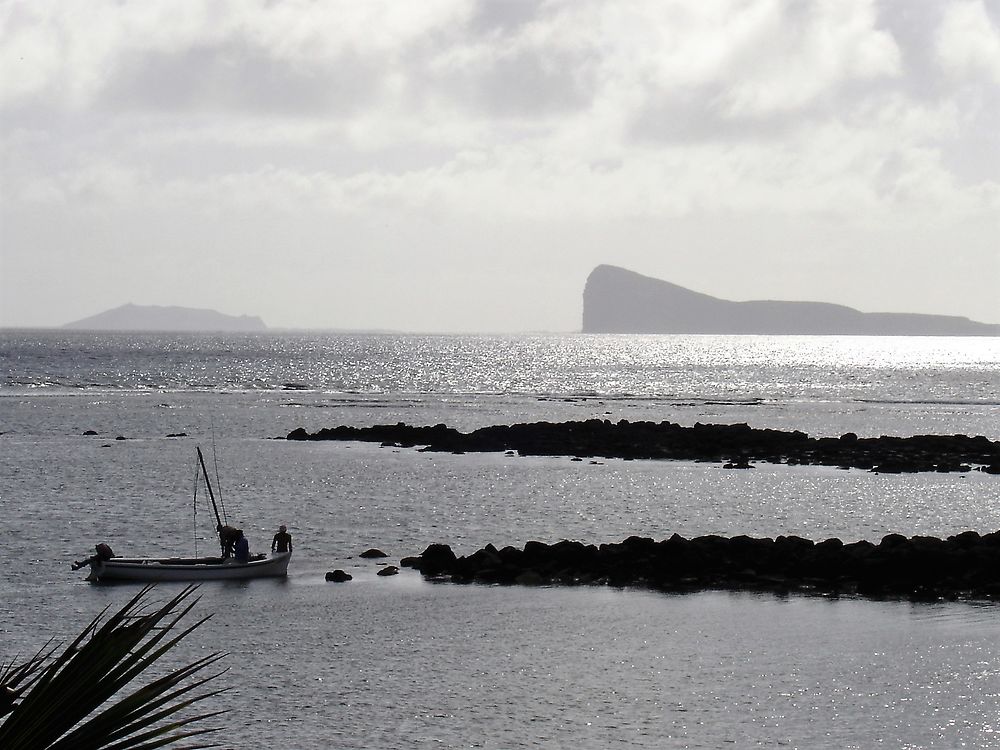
(399,662)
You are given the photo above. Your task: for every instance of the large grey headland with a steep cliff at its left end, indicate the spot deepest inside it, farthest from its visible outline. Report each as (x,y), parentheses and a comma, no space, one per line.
(616,300)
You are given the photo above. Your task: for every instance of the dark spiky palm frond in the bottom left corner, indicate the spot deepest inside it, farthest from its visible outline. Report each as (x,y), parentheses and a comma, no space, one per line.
(78,699)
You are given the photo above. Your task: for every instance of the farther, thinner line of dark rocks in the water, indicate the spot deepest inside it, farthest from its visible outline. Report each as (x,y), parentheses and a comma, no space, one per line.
(736,444)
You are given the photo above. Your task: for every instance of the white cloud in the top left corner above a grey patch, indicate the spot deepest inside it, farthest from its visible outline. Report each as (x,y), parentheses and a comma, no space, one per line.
(68,52)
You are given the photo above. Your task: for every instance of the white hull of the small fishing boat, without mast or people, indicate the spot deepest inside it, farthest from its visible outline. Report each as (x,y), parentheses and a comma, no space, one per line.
(191,569)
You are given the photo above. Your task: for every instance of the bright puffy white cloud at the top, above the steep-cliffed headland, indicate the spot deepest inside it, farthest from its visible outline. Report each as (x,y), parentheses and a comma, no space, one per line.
(754,57)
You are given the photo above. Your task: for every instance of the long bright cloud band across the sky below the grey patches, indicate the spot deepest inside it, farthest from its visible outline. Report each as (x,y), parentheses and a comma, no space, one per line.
(877,160)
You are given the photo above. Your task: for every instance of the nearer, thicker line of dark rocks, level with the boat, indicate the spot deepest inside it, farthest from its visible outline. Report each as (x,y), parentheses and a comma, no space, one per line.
(921,567)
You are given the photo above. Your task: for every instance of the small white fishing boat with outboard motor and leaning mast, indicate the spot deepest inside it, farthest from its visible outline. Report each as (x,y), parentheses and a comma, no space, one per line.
(105,566)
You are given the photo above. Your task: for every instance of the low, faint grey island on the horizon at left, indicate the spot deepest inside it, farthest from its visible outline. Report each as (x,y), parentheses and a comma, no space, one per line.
(154,318)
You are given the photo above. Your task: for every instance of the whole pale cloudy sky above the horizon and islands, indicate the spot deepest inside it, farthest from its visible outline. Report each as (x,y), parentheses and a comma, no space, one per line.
(462,165)
